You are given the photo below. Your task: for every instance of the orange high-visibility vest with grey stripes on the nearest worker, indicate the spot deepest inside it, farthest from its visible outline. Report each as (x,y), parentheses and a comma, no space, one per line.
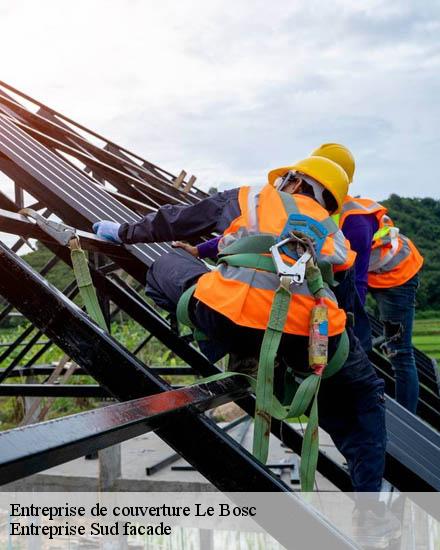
(245,295)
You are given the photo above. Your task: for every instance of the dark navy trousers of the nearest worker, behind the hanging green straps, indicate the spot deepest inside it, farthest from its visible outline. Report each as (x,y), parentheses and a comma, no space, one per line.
(351,403)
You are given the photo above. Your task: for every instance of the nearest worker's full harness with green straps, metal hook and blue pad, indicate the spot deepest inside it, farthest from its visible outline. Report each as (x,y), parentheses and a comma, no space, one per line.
(301,240)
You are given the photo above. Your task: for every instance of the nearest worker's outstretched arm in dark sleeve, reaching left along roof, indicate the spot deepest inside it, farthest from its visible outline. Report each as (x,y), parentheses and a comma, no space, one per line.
(172,222)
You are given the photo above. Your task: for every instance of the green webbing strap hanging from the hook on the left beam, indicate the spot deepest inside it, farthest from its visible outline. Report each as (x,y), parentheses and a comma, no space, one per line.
(85,283)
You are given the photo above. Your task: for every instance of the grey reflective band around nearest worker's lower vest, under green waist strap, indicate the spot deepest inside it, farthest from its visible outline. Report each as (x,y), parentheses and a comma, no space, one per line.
(265,280)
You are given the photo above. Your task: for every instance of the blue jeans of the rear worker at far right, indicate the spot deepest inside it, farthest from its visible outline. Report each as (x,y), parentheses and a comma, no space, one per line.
(397,309)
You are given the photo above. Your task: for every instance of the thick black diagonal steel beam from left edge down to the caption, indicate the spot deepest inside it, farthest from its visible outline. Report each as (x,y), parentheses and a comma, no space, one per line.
(215,455)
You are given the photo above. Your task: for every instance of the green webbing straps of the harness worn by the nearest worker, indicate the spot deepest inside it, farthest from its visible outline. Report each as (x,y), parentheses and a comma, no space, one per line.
(267,405)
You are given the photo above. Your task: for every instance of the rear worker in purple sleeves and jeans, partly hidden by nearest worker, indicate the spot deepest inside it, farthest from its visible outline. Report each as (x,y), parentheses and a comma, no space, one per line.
(388,264)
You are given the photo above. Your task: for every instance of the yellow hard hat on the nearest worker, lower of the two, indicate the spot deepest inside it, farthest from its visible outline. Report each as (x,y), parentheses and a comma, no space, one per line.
(326,172)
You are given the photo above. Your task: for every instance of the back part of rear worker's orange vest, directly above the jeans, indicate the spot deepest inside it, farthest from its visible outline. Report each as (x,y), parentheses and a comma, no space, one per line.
(394,258)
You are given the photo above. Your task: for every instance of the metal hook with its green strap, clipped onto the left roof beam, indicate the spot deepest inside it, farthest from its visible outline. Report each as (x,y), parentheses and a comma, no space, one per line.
(66,236)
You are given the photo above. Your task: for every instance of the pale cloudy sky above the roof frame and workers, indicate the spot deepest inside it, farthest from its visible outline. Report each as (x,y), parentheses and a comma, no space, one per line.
(230,90)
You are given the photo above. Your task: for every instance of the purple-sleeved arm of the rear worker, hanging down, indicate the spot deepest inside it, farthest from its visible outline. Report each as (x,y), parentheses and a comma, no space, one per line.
(359,230)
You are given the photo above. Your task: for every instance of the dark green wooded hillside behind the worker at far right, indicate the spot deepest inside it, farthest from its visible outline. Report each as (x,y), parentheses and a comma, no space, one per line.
(419,219)
